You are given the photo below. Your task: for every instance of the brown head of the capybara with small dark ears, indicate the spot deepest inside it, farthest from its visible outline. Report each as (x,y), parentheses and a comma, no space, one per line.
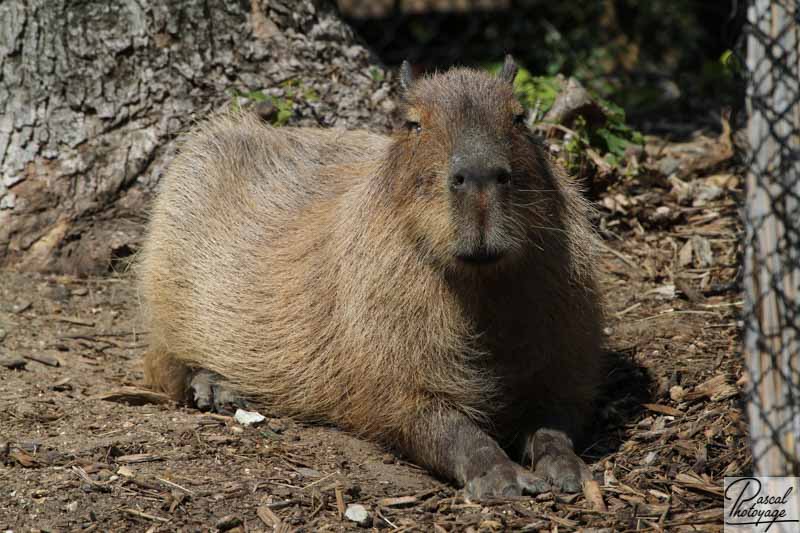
(469,175)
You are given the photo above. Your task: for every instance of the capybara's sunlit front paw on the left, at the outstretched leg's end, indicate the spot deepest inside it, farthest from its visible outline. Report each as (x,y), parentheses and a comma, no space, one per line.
(503,480)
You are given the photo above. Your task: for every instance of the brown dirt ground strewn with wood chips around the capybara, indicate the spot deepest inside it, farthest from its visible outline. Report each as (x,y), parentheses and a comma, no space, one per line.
(75,455)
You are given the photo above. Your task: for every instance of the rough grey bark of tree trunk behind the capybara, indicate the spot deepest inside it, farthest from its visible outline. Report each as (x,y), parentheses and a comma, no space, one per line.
(93,95)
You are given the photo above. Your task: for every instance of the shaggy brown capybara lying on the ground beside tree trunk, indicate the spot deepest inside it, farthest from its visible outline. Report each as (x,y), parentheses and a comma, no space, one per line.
(433,290)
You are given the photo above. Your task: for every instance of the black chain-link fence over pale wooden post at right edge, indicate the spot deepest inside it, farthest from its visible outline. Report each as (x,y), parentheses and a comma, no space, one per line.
(772,219)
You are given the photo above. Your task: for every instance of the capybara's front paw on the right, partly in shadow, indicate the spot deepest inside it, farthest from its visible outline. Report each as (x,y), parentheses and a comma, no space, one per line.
(555,460)
